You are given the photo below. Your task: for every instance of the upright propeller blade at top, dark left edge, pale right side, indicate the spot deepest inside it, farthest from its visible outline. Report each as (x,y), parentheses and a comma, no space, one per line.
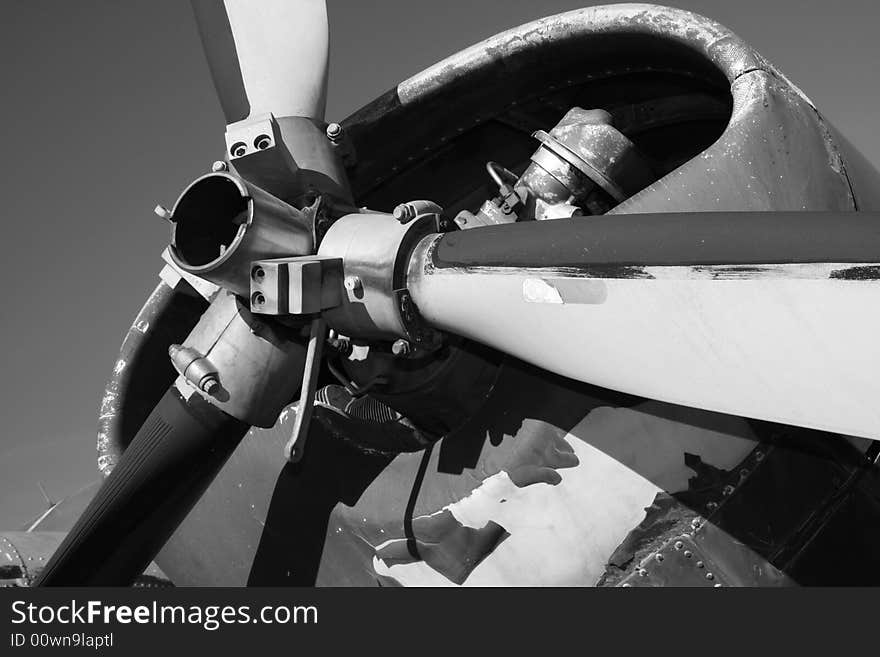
(269,56)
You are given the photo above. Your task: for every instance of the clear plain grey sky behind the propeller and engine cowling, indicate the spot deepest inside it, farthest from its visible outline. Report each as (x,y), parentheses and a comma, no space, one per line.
(108,108)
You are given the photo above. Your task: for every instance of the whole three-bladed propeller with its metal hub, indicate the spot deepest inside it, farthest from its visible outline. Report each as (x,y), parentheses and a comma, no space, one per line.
(764,315)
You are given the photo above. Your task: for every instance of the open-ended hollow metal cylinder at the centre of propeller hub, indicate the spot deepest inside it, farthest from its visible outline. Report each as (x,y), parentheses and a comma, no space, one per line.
(222,223)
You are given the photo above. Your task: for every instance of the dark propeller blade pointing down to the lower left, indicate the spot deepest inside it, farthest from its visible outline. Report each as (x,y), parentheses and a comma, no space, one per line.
(161,475)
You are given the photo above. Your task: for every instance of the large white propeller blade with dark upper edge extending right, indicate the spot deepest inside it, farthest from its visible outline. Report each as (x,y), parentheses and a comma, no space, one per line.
(773,316)
